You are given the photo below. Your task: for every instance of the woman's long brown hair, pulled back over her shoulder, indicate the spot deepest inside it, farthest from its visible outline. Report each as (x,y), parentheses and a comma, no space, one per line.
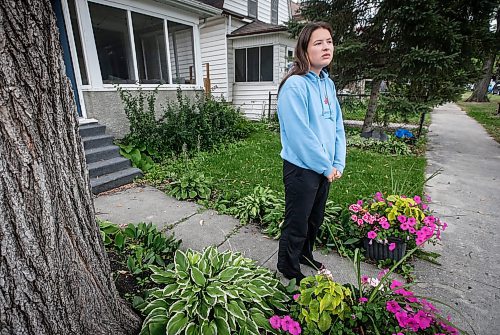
(301,62)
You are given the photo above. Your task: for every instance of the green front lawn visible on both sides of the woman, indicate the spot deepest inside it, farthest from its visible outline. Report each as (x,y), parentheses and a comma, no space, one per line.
(256,161)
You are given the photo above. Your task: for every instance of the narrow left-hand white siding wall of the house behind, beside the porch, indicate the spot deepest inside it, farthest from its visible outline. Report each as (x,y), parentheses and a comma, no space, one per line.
(214,52)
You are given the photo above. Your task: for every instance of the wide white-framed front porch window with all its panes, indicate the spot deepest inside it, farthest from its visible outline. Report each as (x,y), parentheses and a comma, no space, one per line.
(134,47)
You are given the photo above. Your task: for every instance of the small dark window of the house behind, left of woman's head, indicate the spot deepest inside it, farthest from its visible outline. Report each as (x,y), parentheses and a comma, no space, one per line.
(254,64)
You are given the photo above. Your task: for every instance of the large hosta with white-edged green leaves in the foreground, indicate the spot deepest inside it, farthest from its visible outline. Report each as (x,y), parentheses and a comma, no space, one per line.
(213,293)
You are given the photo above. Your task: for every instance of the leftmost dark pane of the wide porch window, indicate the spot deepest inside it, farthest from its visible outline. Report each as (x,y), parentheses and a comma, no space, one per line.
(110,26)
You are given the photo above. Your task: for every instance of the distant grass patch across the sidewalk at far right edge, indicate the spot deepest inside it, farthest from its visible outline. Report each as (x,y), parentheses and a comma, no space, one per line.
(484,113)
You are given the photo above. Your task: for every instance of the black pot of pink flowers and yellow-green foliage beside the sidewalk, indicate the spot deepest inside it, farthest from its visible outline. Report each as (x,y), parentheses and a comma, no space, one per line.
(389,224)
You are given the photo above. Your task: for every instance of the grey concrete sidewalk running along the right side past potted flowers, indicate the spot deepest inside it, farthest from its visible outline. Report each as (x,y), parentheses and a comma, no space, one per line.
(466,195)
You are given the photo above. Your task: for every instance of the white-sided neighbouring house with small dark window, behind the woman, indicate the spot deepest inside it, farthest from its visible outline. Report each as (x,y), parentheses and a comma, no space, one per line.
(248,51)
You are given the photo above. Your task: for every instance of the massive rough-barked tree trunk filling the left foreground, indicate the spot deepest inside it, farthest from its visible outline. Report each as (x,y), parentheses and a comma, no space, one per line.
(54,272)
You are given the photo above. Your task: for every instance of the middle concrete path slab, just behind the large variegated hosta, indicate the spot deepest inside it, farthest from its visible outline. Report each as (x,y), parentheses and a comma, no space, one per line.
(204,229)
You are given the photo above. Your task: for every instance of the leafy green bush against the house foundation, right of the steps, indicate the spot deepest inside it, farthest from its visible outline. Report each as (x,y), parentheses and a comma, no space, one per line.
(186,124)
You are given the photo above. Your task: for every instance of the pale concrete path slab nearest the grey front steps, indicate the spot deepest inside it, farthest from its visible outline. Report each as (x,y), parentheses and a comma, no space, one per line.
(143,204)
